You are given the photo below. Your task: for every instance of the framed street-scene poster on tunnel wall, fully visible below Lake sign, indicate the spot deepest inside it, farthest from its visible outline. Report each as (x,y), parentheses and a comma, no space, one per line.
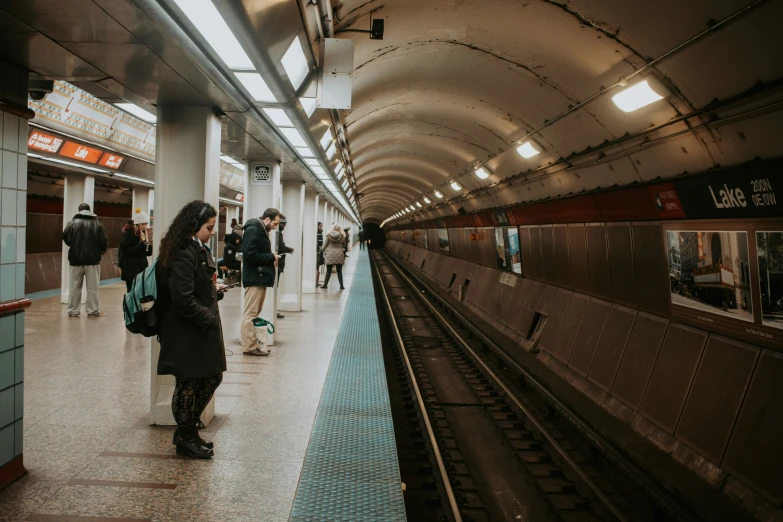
(710,271)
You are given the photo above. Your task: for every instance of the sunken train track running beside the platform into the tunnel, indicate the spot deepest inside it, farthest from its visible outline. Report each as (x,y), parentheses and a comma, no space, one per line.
(479,439)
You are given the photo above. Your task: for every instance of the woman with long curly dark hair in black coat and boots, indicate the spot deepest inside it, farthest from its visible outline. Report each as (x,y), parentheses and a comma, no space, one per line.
(191,337)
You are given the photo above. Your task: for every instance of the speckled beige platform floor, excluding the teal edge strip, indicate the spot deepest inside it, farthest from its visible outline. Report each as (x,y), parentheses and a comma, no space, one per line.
(87,399)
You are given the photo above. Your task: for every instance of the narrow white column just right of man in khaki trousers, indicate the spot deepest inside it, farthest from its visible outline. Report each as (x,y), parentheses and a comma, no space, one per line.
(291,279)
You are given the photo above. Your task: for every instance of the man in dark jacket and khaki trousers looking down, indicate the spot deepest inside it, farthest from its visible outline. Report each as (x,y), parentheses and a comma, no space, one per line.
(258,274)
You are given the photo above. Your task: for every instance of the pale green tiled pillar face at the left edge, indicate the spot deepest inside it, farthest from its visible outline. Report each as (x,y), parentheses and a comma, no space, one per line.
(13,217)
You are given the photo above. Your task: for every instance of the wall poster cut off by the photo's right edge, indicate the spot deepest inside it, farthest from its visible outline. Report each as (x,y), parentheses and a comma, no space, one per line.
(769,248)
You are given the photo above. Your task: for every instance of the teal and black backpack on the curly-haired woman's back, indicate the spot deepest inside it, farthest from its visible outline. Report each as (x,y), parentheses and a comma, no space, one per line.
(142,314)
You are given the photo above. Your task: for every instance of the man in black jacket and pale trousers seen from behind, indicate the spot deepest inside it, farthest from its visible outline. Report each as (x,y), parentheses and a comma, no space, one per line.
(87,239)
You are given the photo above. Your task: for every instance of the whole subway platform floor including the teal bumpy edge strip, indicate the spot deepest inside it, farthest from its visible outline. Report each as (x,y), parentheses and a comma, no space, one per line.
(91,455)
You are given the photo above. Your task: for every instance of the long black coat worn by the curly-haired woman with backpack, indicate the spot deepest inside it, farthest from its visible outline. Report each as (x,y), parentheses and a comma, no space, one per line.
(191,338)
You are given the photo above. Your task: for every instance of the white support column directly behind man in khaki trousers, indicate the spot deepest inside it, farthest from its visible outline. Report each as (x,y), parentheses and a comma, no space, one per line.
(259,196)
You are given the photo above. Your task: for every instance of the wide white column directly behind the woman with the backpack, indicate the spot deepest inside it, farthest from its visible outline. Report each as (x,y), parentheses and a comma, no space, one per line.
(187,168)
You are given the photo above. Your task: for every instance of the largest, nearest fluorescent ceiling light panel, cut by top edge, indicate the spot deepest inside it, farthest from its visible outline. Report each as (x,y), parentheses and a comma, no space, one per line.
(207,19)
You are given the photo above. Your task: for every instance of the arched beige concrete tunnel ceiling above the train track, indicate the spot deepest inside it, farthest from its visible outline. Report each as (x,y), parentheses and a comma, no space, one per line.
(454,82)
